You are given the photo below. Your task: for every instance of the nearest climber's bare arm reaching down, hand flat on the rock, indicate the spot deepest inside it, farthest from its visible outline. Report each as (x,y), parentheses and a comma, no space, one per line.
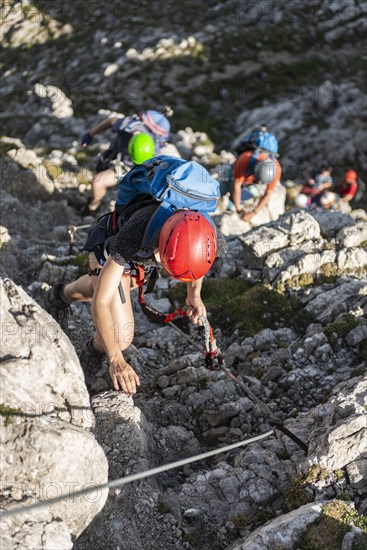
(108,282)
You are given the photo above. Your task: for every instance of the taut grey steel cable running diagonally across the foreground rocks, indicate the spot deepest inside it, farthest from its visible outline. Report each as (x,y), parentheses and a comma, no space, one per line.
(129,479)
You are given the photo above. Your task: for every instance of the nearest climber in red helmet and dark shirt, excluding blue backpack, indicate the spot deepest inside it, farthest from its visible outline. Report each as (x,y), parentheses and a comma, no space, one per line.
(186,246)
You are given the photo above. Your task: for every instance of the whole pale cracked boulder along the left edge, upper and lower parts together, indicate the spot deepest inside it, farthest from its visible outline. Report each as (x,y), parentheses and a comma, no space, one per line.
(47,448)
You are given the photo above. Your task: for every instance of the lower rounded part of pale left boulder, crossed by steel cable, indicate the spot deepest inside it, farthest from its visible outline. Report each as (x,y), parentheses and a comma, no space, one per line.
(43,457)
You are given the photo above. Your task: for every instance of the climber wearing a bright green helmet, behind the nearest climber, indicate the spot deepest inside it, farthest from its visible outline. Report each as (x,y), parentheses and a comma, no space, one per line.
(152,126)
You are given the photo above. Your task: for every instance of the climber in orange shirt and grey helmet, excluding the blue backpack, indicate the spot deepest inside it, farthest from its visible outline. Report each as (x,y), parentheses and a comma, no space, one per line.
(249,169)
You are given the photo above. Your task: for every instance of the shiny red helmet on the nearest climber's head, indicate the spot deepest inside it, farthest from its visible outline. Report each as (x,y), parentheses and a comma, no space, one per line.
(187,245)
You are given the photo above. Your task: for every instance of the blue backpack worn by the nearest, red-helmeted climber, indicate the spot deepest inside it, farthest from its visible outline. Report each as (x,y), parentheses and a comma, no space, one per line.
(176,183)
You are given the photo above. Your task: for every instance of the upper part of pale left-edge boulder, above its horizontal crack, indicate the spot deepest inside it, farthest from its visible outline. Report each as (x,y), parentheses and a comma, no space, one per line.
(27,332)
